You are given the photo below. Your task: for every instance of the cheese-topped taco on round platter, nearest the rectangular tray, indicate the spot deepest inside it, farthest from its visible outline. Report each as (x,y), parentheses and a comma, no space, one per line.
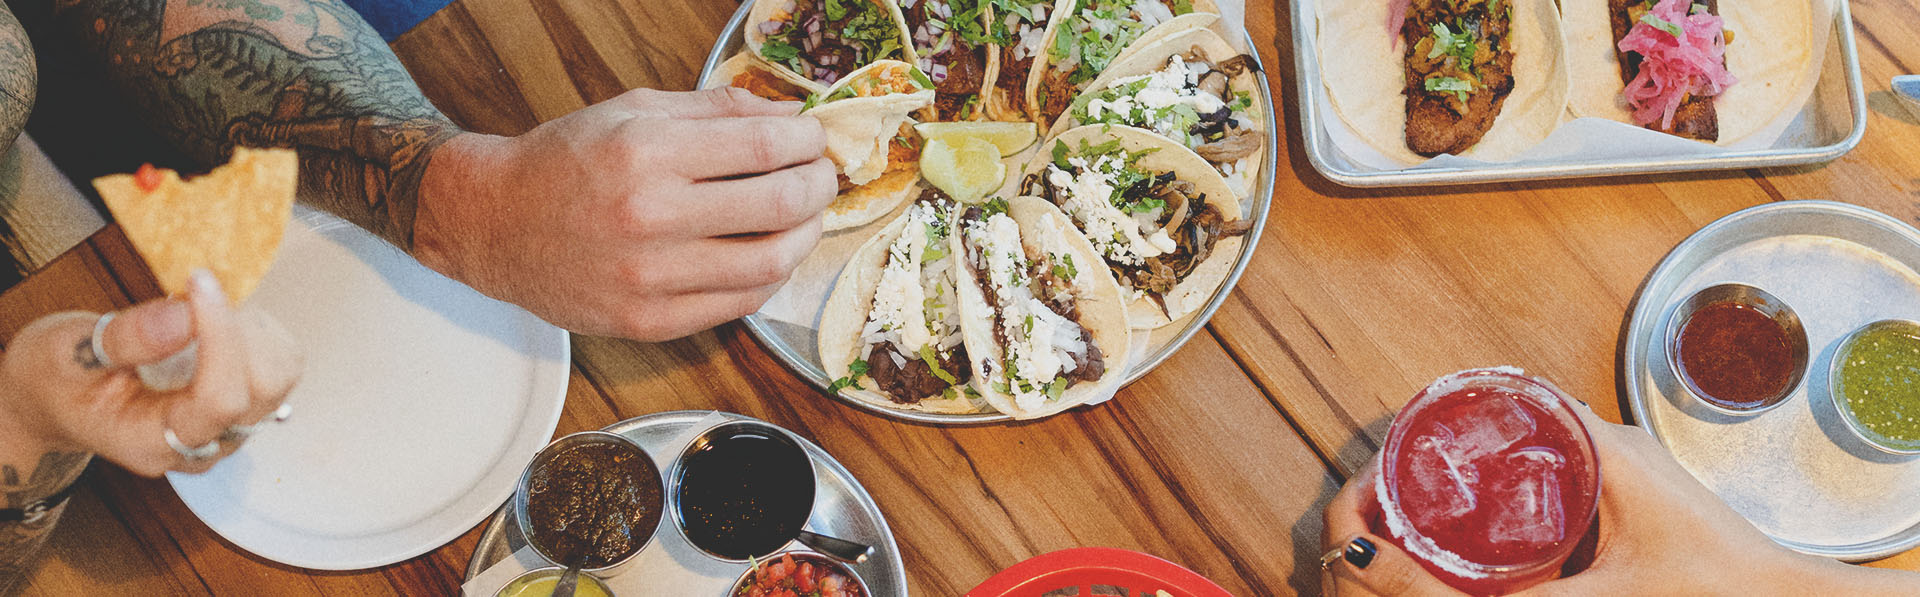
(1193,89)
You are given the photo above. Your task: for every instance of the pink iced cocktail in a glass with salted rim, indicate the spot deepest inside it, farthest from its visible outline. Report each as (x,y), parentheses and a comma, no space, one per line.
(1489,479)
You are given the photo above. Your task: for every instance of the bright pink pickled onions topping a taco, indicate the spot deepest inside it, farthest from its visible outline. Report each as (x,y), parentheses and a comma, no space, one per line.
(1673,68)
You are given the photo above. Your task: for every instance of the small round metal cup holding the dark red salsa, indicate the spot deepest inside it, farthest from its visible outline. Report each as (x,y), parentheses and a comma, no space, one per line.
(1760,300)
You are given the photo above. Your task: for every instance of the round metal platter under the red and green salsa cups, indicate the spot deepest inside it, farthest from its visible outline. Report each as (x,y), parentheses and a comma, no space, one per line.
(1794,471)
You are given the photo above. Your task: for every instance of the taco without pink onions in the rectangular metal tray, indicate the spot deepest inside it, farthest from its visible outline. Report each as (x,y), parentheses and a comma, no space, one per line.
(1477,78)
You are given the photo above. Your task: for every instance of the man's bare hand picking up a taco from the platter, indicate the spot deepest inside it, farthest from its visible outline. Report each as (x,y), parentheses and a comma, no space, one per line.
(650,216)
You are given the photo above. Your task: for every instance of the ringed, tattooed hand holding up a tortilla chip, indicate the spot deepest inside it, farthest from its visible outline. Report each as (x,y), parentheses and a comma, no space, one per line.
(57,398)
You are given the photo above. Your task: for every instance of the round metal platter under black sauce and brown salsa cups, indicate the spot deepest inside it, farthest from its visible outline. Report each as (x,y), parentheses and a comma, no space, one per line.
(842,510)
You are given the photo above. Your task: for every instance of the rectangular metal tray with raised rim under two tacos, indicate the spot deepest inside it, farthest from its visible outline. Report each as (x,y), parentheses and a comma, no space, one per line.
(1836,114)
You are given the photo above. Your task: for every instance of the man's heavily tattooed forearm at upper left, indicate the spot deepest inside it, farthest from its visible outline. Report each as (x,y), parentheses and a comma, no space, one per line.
(300,74)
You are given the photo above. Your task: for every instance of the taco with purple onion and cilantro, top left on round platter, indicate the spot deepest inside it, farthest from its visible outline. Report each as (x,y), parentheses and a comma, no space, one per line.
(825,41)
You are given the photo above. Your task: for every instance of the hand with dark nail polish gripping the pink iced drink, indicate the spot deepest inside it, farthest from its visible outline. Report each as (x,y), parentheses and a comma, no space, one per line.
(1662,533)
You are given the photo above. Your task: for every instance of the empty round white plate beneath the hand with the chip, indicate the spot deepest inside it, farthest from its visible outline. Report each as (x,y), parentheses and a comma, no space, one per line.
(420,406)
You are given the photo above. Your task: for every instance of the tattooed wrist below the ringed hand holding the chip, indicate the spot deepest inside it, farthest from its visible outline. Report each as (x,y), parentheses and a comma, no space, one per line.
(22,485)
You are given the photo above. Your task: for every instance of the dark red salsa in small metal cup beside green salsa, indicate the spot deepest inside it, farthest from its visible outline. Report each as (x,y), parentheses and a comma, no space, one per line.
(1737,356)
